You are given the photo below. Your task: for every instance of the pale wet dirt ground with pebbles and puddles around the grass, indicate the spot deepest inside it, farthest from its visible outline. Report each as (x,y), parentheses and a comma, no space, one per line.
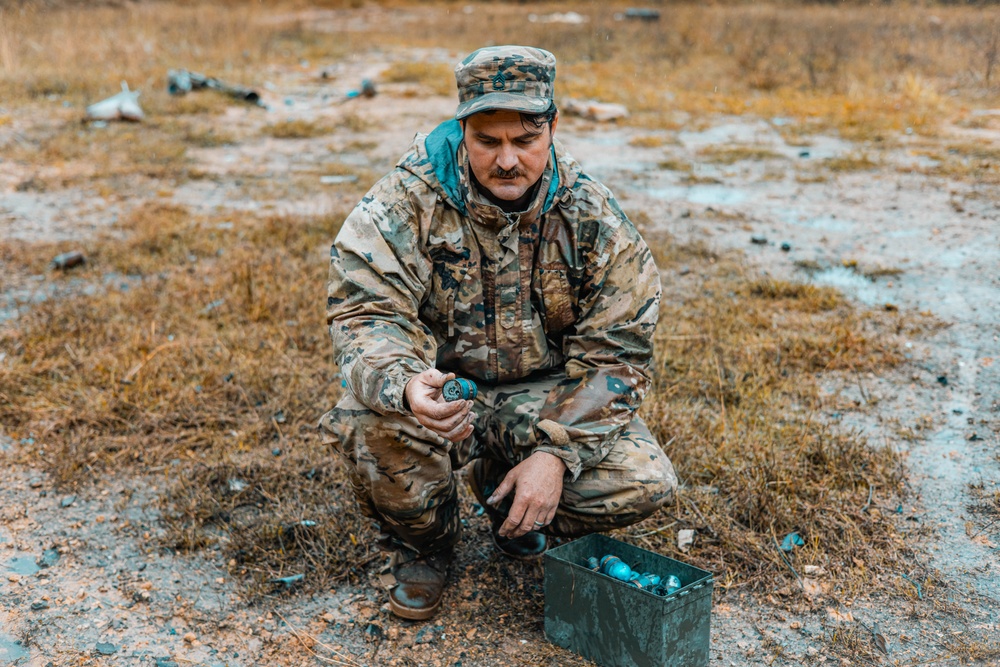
(84,584)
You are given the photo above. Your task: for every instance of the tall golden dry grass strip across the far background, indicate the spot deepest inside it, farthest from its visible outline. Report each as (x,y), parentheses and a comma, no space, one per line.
(866,71)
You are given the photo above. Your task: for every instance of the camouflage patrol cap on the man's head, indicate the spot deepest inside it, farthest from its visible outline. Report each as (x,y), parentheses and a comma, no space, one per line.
(518,78)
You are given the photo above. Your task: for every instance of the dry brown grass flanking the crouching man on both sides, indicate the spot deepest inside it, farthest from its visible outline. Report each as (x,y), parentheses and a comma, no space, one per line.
(213,367)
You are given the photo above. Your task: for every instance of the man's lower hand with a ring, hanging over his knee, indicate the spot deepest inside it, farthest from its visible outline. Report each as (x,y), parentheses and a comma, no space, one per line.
(537,485)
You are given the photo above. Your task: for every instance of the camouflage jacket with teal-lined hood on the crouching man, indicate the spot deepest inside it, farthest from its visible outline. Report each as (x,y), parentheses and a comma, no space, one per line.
(426,272)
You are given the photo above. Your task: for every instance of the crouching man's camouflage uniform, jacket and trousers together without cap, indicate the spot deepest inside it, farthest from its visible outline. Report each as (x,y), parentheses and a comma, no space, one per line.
(551,311)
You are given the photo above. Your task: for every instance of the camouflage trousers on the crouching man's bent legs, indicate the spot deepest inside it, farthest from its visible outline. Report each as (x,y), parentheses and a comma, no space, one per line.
(403,477)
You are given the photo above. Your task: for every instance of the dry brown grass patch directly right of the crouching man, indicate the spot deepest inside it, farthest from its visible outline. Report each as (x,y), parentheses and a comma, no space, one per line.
(738,401)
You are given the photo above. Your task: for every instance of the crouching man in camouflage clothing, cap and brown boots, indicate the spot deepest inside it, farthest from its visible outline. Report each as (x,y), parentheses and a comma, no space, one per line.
(489,254)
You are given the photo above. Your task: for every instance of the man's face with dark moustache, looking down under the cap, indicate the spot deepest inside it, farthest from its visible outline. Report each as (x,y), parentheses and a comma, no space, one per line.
(506,155)
